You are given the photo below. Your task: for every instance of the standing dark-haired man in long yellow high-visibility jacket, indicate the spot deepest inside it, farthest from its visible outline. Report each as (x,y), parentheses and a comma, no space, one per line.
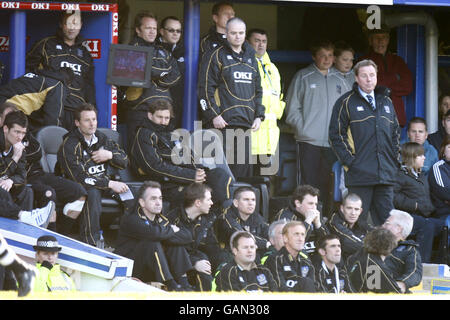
(265,140)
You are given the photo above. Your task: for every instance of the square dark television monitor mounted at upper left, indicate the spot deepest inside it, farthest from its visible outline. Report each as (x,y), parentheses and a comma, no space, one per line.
(129,65)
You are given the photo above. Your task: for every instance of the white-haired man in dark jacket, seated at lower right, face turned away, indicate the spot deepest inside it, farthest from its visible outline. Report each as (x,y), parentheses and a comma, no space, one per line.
(404,261)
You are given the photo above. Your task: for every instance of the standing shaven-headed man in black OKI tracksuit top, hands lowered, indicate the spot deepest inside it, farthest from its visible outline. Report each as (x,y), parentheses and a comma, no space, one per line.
(230,94)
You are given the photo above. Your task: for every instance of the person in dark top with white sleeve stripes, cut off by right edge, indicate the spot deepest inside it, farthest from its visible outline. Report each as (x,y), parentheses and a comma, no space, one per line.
(439,180)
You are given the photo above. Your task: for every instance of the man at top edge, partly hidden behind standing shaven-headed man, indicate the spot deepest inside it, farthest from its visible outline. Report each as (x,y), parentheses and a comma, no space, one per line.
(216,36)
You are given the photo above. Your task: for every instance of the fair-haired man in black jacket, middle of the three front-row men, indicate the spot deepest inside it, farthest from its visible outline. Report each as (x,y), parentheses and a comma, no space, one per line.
(291,268)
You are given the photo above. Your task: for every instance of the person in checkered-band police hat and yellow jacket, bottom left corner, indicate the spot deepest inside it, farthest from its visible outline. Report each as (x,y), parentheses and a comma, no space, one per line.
(50,277)
